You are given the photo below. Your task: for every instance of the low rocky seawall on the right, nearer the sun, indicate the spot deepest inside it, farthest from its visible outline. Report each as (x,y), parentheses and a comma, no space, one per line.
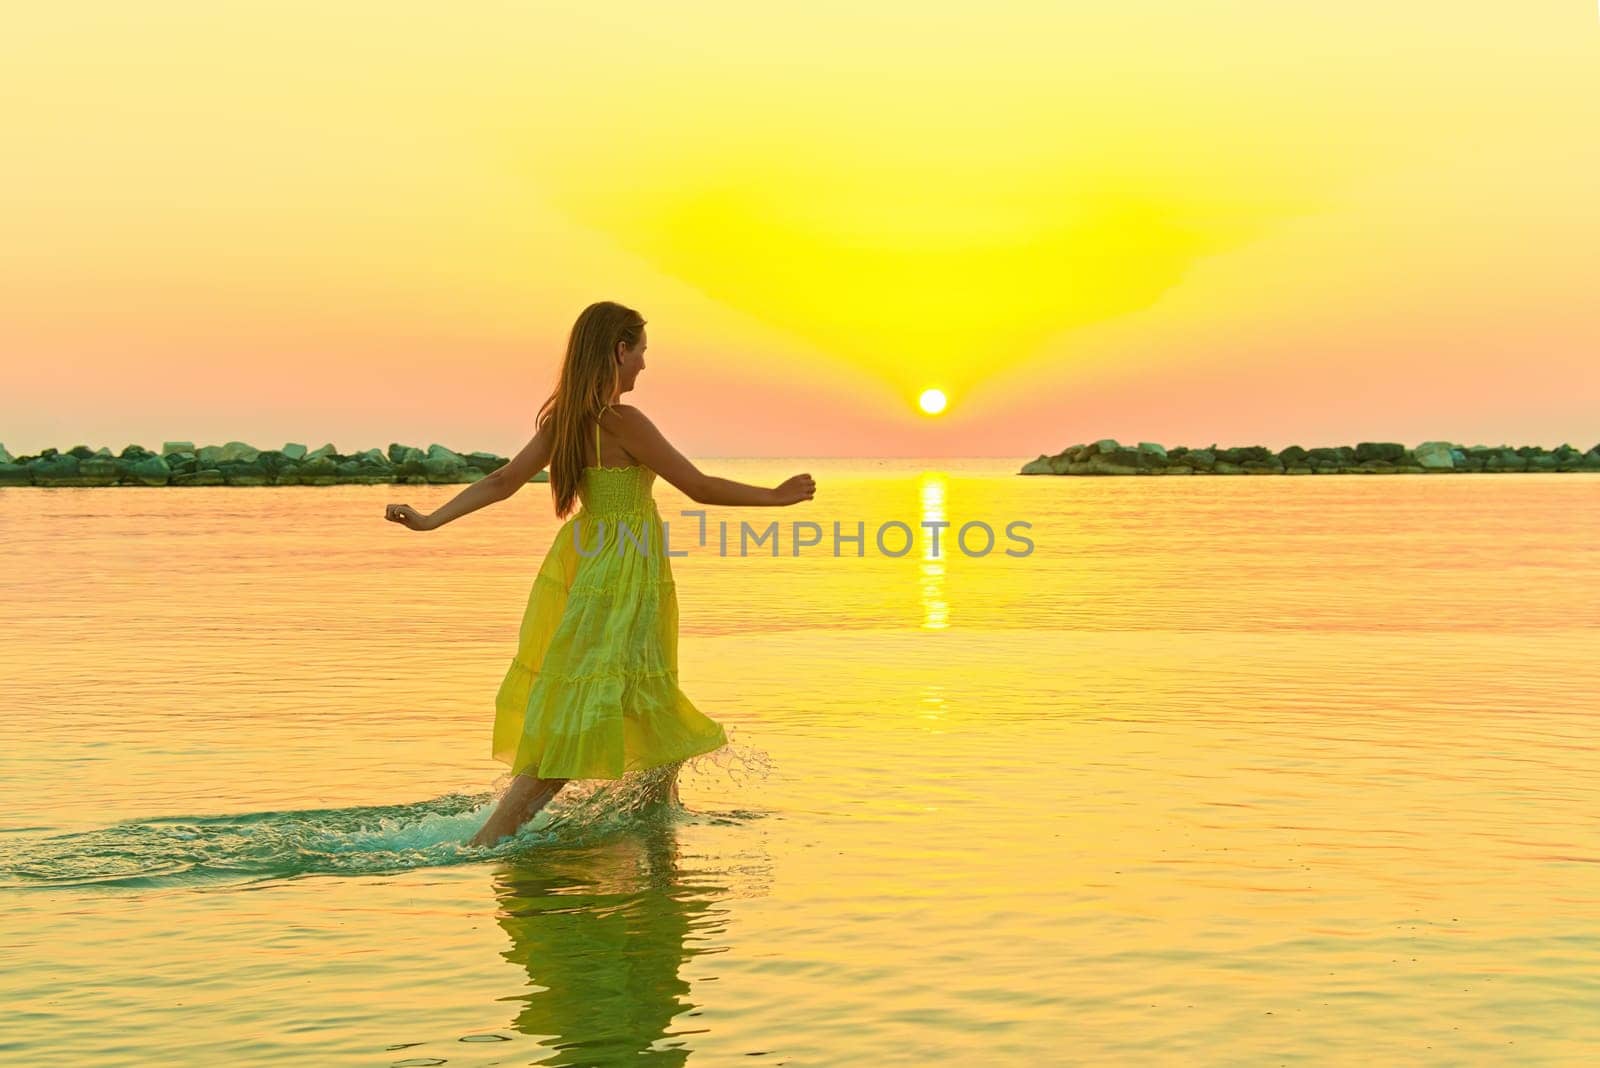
(1369,458)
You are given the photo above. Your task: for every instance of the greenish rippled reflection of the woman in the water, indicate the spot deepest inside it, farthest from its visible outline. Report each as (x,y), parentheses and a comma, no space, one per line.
(602,931)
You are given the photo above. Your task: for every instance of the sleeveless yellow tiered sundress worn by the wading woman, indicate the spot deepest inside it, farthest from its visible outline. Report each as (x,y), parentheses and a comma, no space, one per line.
(593,691)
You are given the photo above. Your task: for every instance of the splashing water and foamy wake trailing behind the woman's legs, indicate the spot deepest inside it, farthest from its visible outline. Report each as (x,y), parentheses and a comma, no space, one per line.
(369,840)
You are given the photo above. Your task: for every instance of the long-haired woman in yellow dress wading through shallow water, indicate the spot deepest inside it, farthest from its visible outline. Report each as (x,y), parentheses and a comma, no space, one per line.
(593,691)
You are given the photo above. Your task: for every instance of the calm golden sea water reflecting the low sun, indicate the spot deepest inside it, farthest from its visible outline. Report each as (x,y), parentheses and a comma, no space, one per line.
(1222,770)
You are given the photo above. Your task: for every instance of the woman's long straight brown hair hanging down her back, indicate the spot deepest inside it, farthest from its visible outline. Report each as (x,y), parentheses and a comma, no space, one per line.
(590,378)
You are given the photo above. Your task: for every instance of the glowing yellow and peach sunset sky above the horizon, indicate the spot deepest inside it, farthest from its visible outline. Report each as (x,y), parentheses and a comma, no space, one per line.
(1183,223)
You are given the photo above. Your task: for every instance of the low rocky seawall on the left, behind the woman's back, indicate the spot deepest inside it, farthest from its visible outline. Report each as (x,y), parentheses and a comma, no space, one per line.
(241,464)
